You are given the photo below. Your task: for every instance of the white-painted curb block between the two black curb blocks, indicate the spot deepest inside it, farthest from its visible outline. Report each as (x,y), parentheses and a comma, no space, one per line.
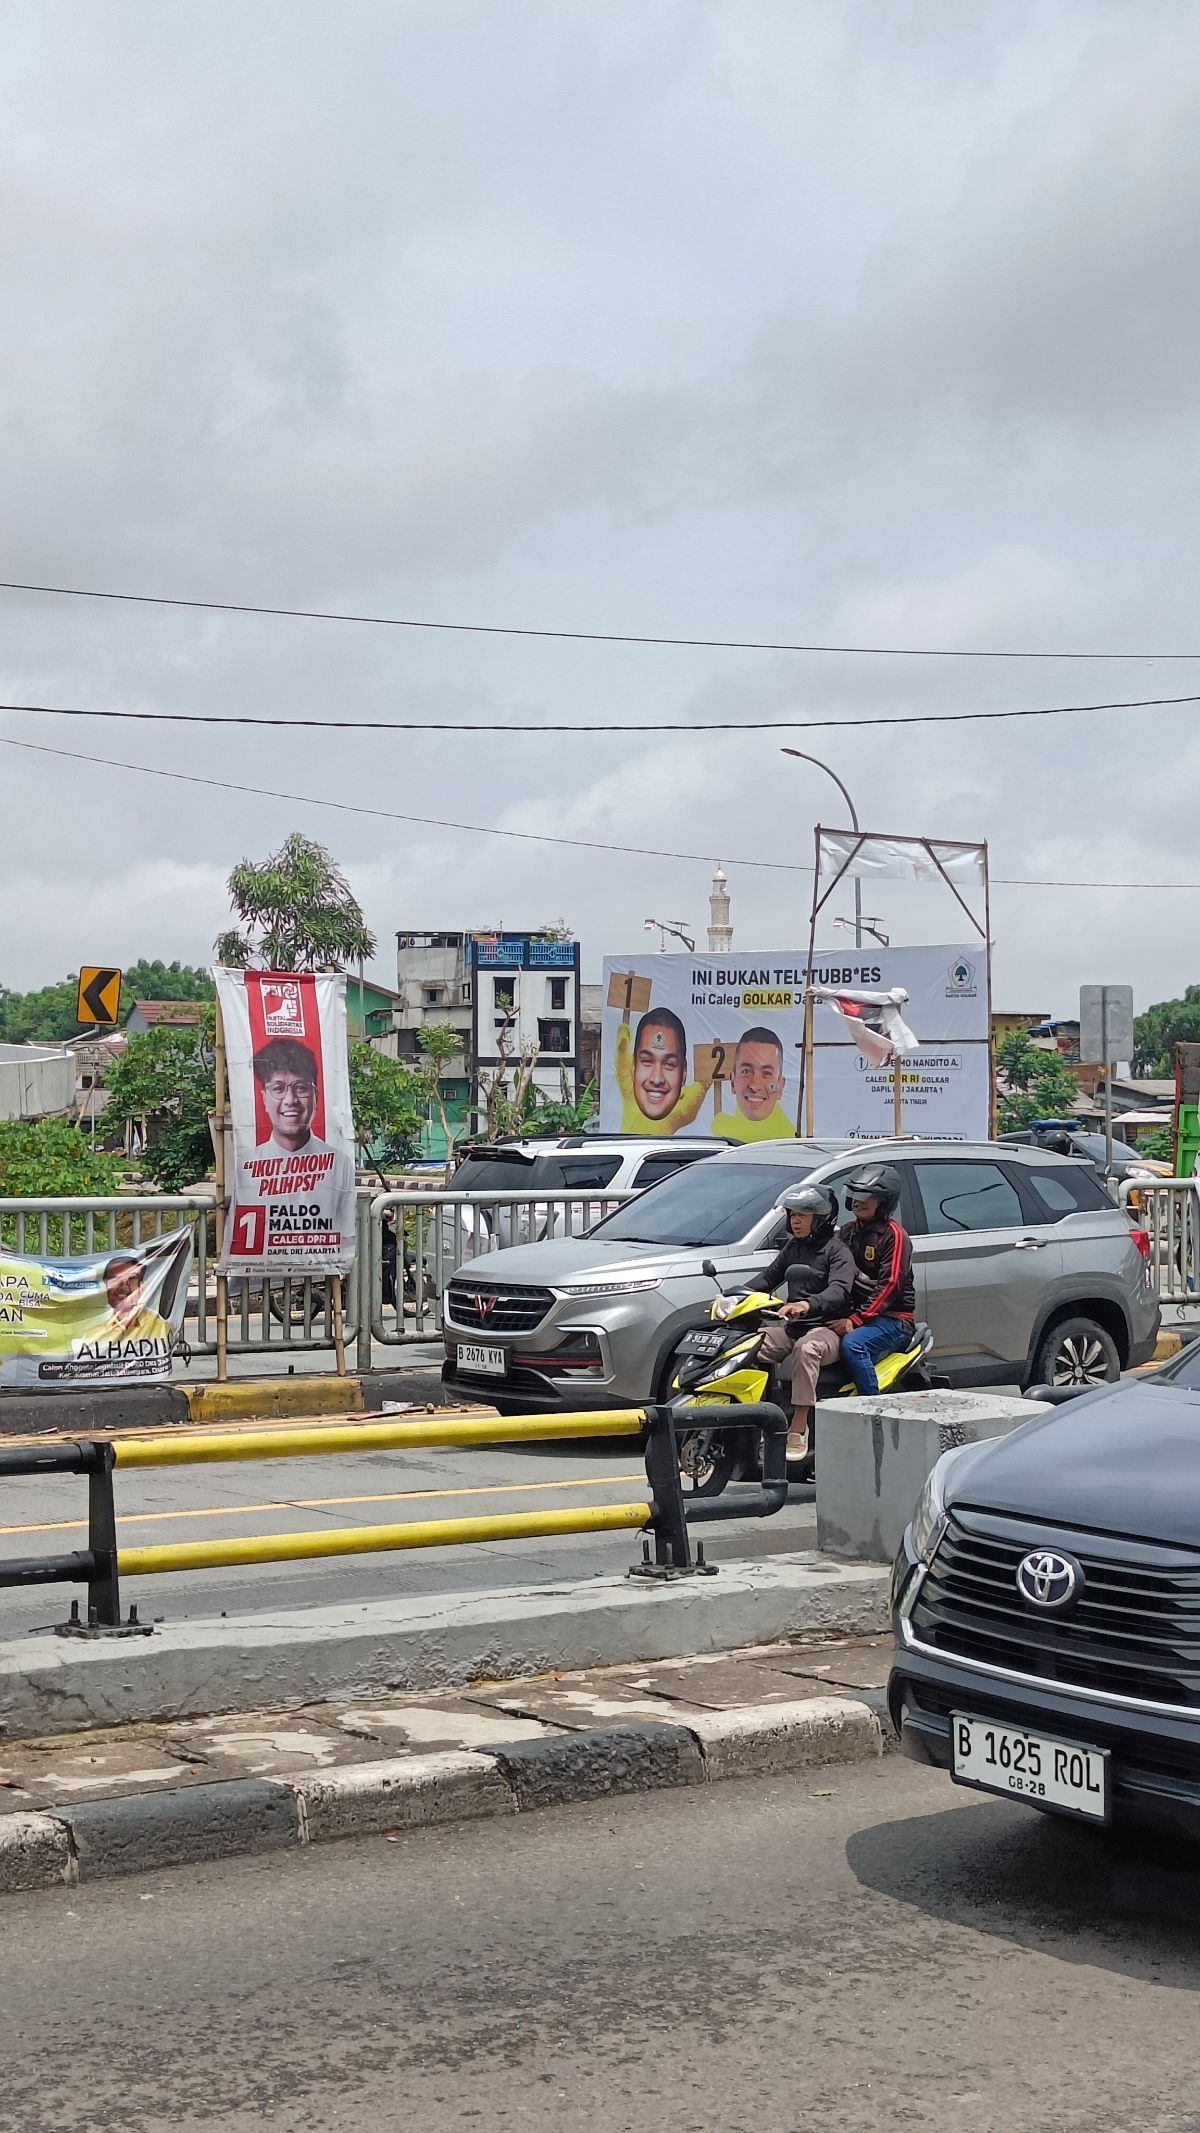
(408,1793)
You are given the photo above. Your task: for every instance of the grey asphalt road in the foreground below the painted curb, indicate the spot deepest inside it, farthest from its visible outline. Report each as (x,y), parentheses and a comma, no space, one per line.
(743,1959)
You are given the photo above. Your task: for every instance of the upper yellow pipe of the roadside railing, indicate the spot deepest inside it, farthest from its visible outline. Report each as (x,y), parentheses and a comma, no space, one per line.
(201,1449)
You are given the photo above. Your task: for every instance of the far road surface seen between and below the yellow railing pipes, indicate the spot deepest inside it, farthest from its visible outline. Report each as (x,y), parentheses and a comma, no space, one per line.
(285,1496)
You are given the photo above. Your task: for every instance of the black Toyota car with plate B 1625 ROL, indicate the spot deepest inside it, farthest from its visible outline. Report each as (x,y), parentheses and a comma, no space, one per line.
(1048,1605)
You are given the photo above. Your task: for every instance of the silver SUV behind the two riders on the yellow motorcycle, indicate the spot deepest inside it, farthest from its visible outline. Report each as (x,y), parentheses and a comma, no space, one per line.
(1024,1270)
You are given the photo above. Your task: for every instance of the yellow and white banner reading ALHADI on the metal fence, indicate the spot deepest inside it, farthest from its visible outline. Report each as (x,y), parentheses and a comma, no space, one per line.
(108,1319)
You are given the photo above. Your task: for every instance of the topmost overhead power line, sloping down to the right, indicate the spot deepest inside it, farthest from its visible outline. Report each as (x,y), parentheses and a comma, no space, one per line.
(564,637)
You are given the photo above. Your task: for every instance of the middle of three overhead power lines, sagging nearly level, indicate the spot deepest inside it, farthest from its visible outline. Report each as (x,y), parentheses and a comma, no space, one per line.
(594,726)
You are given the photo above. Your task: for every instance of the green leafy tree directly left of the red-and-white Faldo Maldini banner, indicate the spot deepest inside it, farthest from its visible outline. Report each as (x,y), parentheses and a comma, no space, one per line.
(165,1078)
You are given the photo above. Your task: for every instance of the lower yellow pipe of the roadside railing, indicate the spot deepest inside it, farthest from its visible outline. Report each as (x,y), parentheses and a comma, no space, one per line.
(370,1539)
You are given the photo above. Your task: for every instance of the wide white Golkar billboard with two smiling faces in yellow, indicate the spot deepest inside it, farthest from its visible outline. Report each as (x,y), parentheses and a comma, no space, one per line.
(713,1044)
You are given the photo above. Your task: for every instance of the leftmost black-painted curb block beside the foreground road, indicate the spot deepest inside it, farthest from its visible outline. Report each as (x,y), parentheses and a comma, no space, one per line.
(176,1829)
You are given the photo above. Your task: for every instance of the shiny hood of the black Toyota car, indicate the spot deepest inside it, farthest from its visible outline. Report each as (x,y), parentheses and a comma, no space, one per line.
(1124,1460)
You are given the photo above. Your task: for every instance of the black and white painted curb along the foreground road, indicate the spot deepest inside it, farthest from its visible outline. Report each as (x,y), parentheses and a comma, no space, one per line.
(238,1818)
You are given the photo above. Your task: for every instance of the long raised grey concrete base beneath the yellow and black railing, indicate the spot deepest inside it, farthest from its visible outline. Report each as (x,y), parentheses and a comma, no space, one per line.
(353,1652)
